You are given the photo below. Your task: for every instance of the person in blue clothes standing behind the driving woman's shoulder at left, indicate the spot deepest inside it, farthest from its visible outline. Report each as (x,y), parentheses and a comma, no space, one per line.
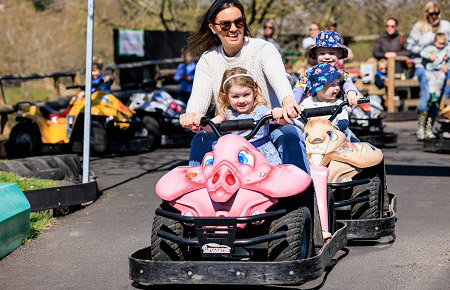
(185,76)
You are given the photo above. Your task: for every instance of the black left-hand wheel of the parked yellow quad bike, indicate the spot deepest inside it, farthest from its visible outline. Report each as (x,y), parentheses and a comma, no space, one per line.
(24,140)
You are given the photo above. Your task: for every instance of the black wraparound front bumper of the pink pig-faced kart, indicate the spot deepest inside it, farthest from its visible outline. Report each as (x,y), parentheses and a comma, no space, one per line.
(143,270)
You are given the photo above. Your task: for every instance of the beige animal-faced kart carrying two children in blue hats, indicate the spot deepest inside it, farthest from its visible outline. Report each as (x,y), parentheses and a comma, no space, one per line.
(356,176)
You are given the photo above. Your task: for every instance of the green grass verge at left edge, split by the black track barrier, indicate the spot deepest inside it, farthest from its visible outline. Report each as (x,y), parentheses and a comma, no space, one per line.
(38,220)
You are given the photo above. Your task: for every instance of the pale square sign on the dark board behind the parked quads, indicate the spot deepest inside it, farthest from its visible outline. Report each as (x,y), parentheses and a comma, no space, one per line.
(131,42)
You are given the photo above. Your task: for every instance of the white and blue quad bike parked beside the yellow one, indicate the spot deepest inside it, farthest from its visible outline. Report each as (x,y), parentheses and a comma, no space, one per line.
(161,112)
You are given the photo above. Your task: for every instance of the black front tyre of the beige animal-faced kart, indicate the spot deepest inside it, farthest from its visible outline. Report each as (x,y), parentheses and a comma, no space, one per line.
(368,209)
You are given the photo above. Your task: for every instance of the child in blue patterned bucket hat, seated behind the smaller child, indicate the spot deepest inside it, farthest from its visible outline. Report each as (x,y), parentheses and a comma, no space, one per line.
(328,49)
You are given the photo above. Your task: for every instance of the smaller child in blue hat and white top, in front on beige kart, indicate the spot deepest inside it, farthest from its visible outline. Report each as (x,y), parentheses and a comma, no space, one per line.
(324,89)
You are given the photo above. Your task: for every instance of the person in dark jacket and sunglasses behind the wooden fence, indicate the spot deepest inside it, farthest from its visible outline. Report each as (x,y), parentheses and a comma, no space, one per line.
(390,43)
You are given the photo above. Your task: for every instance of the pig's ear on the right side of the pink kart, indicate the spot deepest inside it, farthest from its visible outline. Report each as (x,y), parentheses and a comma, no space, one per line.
(281,181)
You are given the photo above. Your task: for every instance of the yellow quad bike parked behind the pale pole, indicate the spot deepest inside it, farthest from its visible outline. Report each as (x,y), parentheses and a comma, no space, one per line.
(44,129)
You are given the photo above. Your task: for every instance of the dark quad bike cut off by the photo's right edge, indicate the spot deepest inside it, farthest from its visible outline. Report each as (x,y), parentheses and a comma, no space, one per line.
(442,141)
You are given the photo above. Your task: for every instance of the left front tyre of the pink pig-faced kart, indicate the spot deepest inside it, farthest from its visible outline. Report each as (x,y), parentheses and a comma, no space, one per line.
(162,249)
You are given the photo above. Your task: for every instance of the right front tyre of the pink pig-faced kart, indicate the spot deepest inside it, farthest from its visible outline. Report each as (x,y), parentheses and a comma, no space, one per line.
(298,242)
